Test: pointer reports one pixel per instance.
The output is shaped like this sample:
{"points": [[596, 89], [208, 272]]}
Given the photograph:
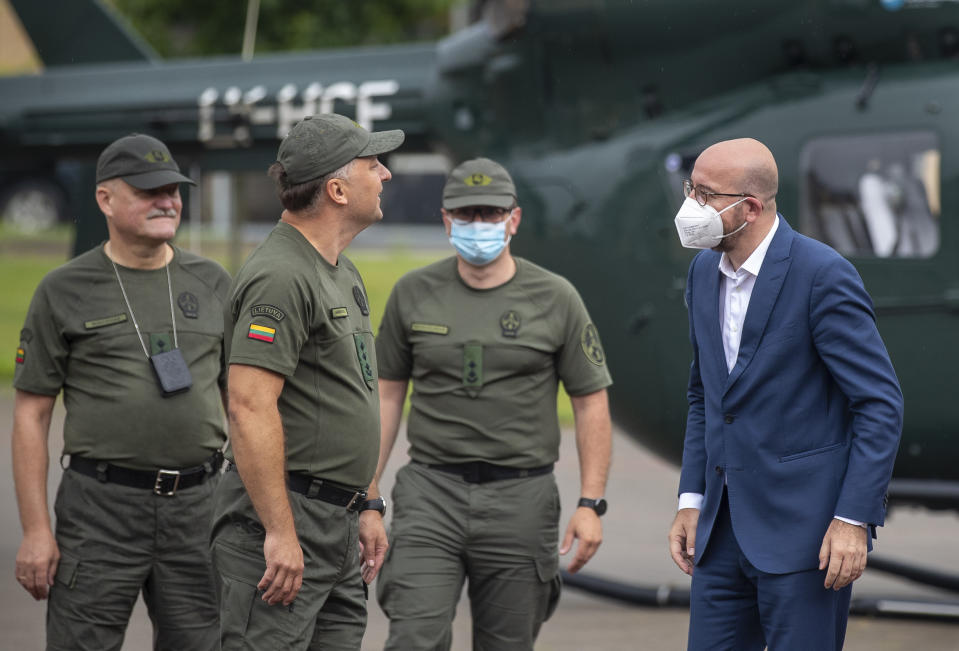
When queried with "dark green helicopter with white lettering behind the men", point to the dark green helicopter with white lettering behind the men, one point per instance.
{"points": [[599, 108]]}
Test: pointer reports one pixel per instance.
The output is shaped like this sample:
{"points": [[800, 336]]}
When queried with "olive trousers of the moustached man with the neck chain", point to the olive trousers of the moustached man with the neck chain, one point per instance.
{"points": [[116, 541]]}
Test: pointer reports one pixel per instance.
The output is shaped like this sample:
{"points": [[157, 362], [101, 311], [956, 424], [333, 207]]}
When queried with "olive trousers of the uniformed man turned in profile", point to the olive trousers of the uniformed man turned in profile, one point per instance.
{"points": [[328, 613]]}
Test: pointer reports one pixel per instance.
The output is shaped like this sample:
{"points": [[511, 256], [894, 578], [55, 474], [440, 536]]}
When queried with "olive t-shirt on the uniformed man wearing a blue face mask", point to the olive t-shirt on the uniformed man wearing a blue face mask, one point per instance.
{"points": [[486, 363]]}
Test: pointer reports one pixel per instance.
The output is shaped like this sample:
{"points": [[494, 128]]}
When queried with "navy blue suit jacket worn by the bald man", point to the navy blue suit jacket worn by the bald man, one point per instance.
{"points": [[807, 424]]}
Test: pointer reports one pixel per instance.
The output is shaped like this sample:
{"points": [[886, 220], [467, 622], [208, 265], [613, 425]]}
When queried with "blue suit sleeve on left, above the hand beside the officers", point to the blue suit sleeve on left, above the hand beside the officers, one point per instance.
{"points": [[693, 475]]}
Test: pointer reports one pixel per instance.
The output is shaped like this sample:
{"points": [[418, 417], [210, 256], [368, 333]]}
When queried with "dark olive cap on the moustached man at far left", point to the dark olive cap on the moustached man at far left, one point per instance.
{"points": [[141, 160]]}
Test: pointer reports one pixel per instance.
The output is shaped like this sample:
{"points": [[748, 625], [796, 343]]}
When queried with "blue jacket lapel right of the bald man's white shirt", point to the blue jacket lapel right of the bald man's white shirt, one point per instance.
{"points": [[769, 283]]}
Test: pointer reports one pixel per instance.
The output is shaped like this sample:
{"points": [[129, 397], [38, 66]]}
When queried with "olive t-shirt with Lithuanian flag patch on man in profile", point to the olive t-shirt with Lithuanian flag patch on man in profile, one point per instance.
{"points": [[294, 313]]}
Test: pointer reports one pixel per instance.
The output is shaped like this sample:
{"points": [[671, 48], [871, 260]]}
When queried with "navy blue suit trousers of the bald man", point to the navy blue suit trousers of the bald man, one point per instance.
{"points": [[735, 606]]}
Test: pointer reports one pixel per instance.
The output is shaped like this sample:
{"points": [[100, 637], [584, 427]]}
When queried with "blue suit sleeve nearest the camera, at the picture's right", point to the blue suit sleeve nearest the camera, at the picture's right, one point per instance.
{"points": [[846, 338]]}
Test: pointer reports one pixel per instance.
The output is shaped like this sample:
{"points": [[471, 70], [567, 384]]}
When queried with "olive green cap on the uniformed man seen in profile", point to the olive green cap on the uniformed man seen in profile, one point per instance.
{"points": [[320, 144]]}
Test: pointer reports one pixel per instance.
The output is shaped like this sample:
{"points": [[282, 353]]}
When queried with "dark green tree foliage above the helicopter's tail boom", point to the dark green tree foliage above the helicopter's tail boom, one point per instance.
{"points": [[177, 28]]}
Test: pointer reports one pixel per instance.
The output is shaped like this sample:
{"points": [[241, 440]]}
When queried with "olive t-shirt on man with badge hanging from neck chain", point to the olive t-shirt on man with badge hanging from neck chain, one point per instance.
{"points": [[79, 337]]}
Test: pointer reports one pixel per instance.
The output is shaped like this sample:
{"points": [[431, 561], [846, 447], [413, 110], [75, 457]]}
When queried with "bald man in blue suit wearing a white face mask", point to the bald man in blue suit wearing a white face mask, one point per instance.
{"points": [[795, 415]]}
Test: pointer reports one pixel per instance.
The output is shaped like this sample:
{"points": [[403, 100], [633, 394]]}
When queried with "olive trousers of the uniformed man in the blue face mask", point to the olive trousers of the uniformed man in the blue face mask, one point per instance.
{"points": [[502, 535]]}
